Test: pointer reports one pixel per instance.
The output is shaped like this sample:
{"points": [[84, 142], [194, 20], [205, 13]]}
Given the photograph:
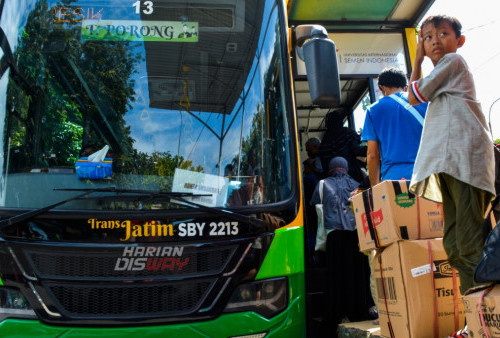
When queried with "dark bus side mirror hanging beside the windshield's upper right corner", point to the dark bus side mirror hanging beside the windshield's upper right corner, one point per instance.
{"points": [[320, 56]]}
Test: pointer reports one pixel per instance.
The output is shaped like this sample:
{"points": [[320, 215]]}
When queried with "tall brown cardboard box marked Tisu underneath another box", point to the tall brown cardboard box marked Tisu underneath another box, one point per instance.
{"points": [[412, 298]]}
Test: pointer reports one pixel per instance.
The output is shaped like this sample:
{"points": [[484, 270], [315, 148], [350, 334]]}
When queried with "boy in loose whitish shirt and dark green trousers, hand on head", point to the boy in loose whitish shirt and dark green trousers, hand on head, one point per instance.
{"points": [[455, 162]]}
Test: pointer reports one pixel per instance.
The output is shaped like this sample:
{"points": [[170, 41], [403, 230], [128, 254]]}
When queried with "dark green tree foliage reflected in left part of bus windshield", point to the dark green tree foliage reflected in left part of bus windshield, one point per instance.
{"points": [[64, 84]]}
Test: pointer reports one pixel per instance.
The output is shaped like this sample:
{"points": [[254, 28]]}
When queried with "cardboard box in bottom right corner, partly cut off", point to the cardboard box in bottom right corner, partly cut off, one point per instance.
{"points": [[490, 308]]}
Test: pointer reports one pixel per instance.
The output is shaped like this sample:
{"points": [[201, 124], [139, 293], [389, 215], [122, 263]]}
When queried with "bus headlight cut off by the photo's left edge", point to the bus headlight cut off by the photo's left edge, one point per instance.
{"points": [[14, 305]]}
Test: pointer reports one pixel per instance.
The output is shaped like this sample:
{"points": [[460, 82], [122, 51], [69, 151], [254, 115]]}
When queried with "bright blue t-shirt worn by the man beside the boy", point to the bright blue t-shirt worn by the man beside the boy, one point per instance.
{"points": [[398, 134]]}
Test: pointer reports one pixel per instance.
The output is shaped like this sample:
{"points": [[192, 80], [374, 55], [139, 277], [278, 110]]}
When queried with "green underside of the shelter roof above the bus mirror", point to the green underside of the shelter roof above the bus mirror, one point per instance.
{"points": [[358, 14]]}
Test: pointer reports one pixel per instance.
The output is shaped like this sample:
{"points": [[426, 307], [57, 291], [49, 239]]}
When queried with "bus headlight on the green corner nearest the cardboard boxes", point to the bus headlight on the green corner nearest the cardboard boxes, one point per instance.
{"points": [[266, 297]]}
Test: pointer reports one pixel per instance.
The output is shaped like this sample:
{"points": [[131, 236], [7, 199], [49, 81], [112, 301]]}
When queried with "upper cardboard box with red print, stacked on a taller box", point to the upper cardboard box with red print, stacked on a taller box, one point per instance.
{"points": [[394, 215]]}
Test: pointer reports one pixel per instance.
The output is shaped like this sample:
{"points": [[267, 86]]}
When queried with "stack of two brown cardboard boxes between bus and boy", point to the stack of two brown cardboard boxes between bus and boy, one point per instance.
{"points": [[417, 291]]}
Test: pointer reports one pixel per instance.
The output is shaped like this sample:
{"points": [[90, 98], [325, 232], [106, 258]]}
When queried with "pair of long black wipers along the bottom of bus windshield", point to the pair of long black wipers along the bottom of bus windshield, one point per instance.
{"points": [[181, 196]]}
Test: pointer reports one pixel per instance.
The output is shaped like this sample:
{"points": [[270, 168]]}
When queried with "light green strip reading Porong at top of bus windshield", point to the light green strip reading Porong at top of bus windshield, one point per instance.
{"points": [[137, 30]]}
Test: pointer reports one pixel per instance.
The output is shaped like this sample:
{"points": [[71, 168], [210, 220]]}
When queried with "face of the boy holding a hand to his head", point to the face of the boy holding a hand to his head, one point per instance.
{"points": [[440, 40]]}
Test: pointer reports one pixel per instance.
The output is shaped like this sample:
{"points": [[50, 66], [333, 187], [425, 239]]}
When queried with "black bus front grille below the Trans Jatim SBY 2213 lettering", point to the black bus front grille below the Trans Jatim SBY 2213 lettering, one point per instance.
{"points": [[103, 284]]}
